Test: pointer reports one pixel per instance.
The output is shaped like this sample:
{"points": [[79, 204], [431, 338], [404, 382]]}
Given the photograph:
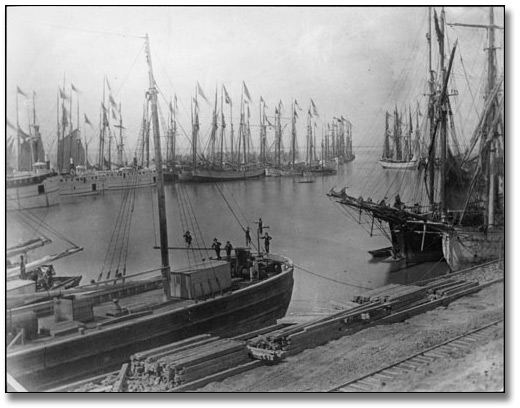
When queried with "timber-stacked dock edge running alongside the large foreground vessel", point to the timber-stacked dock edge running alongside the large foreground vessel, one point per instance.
{"points": [[197, 361]]}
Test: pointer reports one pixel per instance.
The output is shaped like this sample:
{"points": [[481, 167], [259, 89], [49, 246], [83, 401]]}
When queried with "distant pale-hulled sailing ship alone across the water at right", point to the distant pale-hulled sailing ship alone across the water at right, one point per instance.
{"points": [[400, 152]]}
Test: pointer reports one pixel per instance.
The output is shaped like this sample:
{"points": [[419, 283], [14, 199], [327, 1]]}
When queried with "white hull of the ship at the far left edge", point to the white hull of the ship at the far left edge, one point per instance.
{"points": [[32, 192]]}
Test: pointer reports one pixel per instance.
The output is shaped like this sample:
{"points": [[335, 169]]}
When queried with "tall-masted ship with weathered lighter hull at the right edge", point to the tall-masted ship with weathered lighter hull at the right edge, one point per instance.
{"points": [[476, 234]]}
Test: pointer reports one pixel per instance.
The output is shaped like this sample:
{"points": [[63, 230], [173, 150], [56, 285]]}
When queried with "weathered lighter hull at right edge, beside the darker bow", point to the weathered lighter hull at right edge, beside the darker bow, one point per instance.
{"points": [[464, 248]]}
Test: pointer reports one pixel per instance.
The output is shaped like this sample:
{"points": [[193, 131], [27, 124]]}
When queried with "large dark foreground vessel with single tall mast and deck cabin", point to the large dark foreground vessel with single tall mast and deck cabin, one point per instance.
{"points": [[96, 327]]}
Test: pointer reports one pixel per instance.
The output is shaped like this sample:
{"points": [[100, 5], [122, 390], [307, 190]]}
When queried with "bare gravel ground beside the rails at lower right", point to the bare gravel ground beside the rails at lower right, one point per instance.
{"points": [[480, 369]]}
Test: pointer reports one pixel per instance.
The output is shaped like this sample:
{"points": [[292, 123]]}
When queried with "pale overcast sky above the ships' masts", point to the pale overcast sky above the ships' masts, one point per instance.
{"points": [[355, 62]]}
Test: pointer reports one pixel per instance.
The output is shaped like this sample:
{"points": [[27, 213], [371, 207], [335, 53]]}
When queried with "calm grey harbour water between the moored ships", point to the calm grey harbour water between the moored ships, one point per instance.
{"points": [[328, 245]]}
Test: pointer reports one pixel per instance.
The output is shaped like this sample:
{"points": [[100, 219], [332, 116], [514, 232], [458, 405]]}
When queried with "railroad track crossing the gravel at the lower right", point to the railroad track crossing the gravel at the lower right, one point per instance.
{"points": [[369, 382]]}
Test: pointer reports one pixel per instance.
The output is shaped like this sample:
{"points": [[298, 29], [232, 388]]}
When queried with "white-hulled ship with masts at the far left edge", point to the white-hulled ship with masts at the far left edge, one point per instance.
{"points": [[30, 183]]}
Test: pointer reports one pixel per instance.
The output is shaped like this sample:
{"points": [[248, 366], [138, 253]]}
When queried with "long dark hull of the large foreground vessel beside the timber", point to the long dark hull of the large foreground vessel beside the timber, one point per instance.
{"points": [[229, 315]]}
